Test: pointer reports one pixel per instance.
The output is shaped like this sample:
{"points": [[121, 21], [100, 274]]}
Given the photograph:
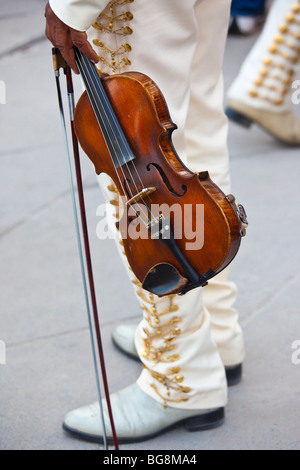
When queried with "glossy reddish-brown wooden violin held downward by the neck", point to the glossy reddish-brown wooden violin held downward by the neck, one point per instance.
{"points": [[123, 124]]}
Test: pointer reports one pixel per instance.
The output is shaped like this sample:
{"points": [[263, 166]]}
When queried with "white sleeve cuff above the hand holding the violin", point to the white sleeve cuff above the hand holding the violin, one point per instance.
{"points": [[78, 14]]}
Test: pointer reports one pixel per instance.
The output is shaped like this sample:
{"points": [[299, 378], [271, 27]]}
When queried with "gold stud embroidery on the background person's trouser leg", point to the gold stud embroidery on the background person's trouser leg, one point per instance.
{"points": [[275, 78]]}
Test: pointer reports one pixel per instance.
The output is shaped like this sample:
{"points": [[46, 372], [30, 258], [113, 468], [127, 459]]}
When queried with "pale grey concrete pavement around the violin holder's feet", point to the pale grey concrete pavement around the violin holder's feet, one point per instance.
{"points": [[43, 323]]}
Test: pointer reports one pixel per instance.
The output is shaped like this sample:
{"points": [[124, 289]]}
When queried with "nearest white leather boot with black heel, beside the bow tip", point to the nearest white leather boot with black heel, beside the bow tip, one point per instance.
{"points": [[137, 417]]}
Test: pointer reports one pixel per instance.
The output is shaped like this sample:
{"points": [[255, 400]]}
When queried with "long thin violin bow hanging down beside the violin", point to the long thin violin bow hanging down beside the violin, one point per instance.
{"points": [[59, 63]]}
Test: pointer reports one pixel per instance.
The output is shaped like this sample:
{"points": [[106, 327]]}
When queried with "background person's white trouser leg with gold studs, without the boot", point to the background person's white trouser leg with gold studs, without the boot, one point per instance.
{"points": [[264, 80]]}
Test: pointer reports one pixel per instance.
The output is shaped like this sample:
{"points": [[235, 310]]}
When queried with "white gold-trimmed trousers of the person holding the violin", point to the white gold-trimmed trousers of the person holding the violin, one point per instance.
{"points": [[180, 45]]}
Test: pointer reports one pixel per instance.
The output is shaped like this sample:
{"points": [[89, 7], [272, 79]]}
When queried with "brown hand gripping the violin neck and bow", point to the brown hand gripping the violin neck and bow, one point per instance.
{"points": [[65, 38]]}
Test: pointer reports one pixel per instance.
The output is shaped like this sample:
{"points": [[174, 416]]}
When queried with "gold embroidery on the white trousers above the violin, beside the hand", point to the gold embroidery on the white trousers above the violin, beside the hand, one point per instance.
{"points": [[110, 22]]}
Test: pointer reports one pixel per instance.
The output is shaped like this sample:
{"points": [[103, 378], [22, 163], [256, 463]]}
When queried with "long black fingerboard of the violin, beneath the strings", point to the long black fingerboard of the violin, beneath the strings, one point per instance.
{"points": [[112, 131]]}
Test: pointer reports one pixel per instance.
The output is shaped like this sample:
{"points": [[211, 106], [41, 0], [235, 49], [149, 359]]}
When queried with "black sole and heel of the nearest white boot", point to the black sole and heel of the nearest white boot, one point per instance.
{"points": [[202, 422]]}
